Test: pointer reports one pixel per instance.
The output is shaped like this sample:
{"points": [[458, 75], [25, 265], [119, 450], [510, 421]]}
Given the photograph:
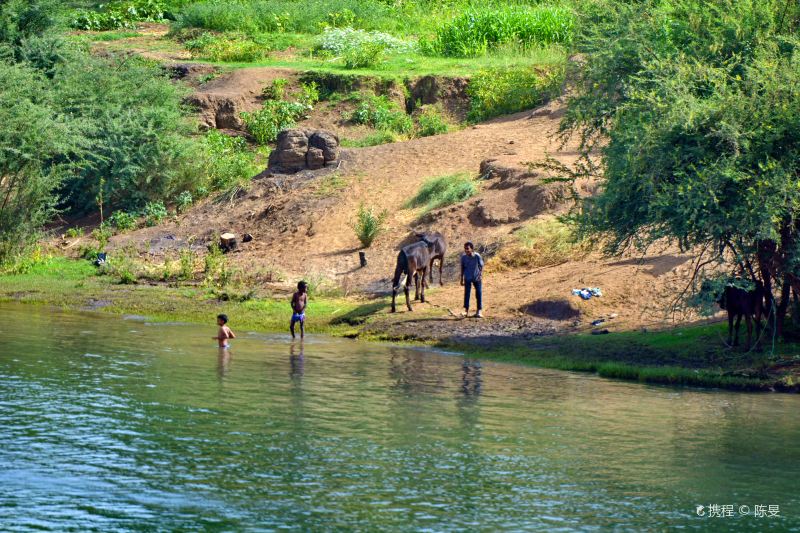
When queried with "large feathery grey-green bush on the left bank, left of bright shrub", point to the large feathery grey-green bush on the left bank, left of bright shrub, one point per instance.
{"points": [[132, 127]]}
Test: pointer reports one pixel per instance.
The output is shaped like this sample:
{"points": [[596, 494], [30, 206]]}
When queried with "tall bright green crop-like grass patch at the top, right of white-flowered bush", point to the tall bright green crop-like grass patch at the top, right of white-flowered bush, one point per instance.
{"points": [[474, 32]]}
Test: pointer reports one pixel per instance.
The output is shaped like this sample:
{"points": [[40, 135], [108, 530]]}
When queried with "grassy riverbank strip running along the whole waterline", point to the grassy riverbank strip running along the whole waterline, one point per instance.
{"points": [[686, 356]]}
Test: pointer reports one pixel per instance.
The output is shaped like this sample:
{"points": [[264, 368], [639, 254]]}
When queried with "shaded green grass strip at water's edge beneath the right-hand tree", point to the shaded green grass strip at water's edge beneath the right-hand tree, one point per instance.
{"points": [[691, 356]]}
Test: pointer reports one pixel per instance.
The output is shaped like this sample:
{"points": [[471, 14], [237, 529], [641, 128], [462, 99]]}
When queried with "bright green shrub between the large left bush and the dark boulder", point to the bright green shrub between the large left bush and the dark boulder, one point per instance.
{"points": [[226, 161]]}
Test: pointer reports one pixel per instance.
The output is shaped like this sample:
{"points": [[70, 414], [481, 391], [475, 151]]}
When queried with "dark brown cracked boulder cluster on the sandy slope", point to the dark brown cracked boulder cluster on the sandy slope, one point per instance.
{"points": [[300, 149]]}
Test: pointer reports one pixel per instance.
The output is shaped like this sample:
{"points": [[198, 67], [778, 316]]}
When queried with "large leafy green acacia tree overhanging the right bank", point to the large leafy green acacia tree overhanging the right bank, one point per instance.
{"points": [[694, 108]]}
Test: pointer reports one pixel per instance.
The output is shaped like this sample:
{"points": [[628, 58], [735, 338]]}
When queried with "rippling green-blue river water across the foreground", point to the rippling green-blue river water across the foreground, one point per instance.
{"points": [[120, 424]]}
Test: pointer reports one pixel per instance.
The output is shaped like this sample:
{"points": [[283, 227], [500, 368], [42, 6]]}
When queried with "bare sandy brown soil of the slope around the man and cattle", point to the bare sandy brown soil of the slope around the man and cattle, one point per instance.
{"points": [[302, 226]]}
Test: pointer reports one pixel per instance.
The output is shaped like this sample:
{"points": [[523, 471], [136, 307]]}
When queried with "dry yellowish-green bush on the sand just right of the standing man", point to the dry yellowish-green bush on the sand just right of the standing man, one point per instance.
{"points": [[541, 243]]}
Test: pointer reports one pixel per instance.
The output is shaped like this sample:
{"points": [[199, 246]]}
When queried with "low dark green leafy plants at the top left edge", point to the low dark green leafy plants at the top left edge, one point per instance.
{"points": [[119, 14]]}
